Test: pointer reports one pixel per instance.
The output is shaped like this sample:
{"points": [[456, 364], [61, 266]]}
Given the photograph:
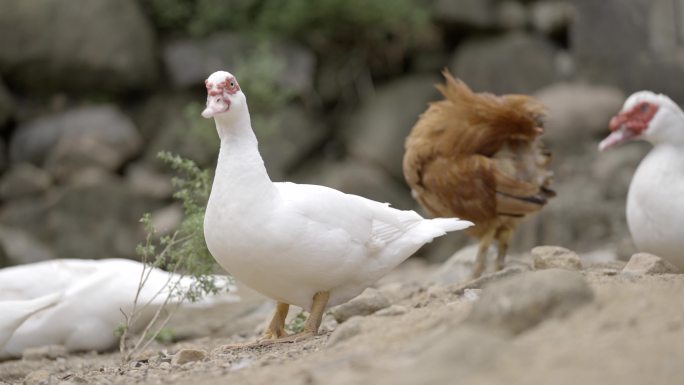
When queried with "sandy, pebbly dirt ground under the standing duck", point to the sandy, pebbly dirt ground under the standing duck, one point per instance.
{"points": [[630, 332]]}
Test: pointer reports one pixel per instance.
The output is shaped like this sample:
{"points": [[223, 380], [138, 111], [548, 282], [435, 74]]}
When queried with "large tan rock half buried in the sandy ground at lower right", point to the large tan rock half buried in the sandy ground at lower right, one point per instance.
{"points": [[523, 301]]}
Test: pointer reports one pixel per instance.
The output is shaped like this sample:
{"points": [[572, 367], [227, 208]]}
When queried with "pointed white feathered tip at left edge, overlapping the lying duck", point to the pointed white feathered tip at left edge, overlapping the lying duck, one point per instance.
{"points": [[14, 313]]}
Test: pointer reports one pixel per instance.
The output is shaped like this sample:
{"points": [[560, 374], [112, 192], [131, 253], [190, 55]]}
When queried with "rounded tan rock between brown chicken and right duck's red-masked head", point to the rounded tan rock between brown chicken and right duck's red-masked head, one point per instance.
{"points": [[578, 112]]}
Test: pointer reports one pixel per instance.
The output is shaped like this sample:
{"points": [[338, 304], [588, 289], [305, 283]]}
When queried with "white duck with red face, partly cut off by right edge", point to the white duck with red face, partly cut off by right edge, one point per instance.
{"points": [[655, 203]]}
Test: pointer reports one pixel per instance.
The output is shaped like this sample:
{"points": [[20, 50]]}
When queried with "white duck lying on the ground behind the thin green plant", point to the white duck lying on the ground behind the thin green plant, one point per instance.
{"points": [[90, 296]]}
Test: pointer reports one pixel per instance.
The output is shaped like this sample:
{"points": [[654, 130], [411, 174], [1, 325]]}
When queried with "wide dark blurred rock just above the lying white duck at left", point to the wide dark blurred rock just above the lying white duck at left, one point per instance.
{"points": [[90, 220]]}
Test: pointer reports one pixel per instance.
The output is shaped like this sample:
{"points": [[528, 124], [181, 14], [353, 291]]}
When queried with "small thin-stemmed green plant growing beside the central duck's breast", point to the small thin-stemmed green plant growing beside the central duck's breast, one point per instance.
{"points": [[183, 253]]}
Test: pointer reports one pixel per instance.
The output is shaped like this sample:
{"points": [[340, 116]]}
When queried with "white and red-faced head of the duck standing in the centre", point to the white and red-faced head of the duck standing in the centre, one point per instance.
{"points": [[225, 99]]}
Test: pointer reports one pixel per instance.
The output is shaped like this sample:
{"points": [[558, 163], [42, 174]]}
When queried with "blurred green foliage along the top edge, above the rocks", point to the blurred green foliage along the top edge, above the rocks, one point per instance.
{"points": [[320, 24]]}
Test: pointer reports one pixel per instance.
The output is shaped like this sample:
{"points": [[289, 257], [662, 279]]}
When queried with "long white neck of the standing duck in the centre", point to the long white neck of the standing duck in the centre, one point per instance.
{"points": [[240, 172]]}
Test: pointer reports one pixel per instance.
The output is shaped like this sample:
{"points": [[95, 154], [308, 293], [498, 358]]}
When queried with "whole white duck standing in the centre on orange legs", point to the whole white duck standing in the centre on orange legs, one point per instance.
{"points": [[304, 245]]}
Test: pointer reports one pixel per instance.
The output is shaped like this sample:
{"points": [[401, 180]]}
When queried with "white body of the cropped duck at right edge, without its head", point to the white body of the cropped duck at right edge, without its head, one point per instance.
{"points": [[655, 204]]}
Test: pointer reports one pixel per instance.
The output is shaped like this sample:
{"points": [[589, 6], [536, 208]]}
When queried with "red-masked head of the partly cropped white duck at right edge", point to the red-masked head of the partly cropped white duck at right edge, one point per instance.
{"points": [[646, 116]]}
